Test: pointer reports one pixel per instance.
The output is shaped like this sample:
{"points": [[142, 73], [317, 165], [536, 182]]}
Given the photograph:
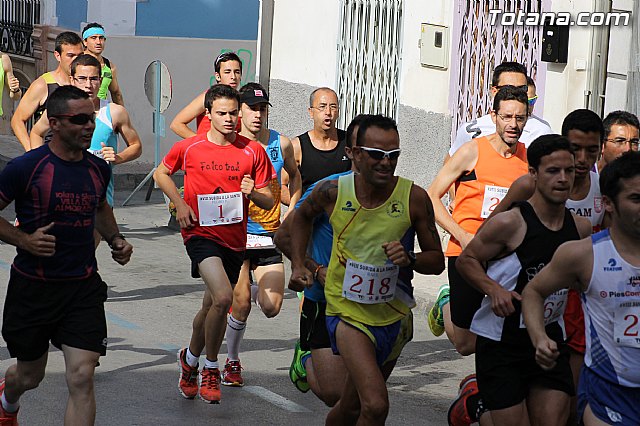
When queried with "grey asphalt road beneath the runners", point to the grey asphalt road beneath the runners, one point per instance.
{"points": [[151, 304]]}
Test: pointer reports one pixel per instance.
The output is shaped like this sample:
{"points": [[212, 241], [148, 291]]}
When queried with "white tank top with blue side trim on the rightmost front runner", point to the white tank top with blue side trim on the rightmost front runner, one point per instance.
{"points": [[611, 307]]}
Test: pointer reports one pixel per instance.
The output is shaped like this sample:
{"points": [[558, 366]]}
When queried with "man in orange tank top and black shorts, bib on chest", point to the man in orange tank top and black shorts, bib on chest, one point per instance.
{"points": [[482, 171]]}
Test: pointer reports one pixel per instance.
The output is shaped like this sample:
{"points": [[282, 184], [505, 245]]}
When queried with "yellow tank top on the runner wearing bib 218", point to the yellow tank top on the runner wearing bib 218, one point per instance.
{"points": [[358, 235]]}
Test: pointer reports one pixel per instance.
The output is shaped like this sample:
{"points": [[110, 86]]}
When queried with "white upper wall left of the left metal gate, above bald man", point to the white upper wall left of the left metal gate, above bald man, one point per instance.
{"points": [[305, 36]]}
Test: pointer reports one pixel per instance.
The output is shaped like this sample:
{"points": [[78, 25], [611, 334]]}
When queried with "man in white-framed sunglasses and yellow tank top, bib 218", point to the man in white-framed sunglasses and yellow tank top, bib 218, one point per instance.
{"points": [[369, 212]]}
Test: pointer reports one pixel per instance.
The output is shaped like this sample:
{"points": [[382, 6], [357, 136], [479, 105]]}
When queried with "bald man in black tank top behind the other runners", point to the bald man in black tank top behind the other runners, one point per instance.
{"points": [[320, 151]]}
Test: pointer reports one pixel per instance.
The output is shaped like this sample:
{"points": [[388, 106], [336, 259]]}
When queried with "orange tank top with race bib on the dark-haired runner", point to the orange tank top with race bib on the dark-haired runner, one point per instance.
{"points": [[479, 191]]}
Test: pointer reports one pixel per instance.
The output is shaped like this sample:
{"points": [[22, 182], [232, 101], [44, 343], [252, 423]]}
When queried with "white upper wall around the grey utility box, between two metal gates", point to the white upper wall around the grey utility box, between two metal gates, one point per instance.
{"points": [[422, 87]]}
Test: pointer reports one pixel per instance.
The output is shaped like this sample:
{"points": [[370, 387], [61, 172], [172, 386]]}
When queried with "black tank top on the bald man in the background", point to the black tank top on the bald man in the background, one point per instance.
{"points": [[318, 164]]}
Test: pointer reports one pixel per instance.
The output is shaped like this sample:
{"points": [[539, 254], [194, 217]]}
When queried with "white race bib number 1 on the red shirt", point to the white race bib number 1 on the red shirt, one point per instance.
{"points": [[220, 209]]}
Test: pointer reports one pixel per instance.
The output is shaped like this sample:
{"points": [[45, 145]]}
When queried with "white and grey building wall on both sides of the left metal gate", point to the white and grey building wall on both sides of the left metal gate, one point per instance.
{"points": [[304, 57]]}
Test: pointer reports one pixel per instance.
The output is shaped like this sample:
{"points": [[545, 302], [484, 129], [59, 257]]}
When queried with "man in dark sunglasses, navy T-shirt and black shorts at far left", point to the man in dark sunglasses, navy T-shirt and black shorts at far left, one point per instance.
{"points": [[55, 293]]}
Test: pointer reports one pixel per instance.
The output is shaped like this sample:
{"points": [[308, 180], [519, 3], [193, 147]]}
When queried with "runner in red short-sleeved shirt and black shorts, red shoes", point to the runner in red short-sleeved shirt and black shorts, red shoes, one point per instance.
{"points": [[223, 171]]}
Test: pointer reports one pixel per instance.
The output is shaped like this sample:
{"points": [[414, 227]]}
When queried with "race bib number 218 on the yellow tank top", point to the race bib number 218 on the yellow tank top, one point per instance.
{"points": [[369, 284]]}
